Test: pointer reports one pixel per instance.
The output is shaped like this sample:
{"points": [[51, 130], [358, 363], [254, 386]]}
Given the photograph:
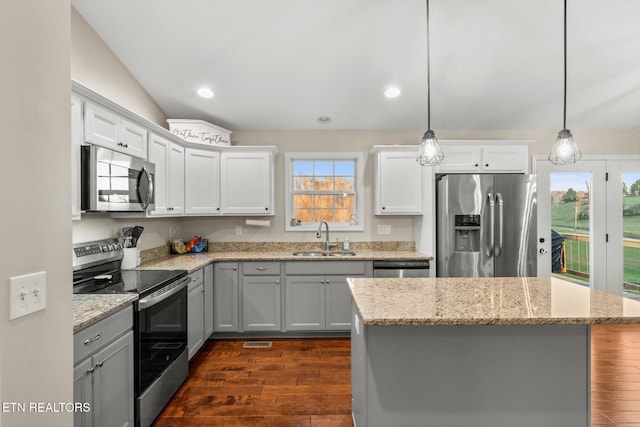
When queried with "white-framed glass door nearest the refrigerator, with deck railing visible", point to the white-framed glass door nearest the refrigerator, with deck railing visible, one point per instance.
{"points": [[572, 221]]}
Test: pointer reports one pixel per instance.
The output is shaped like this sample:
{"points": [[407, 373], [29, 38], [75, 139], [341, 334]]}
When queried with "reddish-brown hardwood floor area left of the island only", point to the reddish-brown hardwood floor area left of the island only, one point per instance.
{"points": [[296, 382]]}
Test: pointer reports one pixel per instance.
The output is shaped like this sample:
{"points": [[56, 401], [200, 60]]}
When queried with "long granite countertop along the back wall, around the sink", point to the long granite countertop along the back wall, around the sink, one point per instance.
{"points": [[192, 262]]}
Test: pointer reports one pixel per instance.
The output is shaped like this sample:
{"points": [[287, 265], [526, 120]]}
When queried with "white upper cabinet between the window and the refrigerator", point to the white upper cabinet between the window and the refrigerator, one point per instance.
{"points": [[398, 181]]}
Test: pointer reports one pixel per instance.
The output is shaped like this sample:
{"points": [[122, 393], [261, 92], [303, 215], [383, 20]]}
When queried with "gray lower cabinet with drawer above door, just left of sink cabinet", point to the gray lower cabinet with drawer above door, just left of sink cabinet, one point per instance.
{"points": [[261, 296]]}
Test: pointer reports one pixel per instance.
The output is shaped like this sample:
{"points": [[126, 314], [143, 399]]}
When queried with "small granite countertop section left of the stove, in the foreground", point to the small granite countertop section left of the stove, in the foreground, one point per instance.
{"points": [[89, 308]]}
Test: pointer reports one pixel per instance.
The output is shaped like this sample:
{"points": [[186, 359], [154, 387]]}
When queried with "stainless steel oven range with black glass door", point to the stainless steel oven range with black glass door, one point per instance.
{"points": [[160, 323]]}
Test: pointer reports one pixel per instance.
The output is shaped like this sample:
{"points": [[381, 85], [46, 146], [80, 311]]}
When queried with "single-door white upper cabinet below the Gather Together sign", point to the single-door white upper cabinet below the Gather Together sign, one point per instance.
{"points": [[202, 182]]}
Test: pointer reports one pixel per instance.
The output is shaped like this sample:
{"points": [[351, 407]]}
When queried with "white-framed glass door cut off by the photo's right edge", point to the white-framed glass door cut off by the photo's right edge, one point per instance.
{"points": [[623, 205]]}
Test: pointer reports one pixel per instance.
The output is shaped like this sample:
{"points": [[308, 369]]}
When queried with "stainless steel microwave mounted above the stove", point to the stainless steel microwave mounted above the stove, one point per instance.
{"points": [[115, 182]]}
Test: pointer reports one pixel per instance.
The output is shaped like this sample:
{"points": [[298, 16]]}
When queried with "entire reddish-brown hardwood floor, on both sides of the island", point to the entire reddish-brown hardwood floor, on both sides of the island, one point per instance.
{"points": [[306, 383]]}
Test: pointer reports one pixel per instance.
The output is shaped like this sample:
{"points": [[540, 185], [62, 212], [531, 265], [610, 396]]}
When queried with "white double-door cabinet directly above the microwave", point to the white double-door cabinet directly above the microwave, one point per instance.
{"points": [[108, 129]]}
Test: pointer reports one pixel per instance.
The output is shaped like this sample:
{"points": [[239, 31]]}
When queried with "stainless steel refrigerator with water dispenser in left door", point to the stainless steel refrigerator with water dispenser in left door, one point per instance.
{"points": [[486, 226]]}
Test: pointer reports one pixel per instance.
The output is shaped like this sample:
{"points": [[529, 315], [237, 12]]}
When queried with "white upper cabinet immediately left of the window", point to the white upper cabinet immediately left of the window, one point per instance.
{"points": [[246, 183]]}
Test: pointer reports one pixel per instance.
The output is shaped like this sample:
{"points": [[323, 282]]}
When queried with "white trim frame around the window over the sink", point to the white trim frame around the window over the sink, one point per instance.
{"points": [[313, 226]]}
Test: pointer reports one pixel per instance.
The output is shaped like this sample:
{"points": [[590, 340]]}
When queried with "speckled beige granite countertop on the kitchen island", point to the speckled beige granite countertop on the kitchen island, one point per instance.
{"points": [[487, 301]]}
